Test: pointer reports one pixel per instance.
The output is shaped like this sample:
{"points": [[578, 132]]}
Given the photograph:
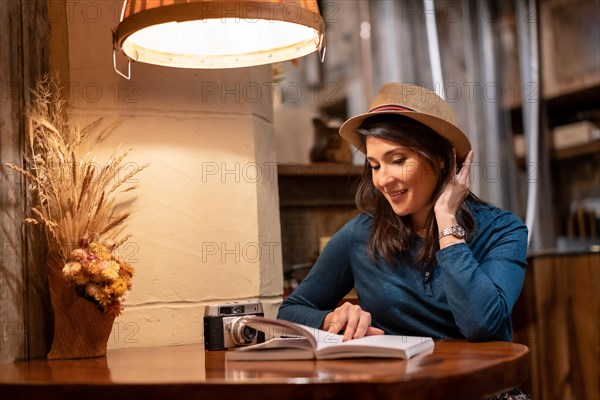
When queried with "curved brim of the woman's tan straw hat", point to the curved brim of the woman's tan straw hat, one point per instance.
{"points": [[349, 130]]}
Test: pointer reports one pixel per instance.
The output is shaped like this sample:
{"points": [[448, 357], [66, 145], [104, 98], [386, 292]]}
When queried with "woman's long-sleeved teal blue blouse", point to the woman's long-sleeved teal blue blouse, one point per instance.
{"points": [[470, 293]]}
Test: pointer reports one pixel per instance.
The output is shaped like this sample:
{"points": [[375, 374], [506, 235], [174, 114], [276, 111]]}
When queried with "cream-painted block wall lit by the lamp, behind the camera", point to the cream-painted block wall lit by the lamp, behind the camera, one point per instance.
{"points": [[206, 223]]}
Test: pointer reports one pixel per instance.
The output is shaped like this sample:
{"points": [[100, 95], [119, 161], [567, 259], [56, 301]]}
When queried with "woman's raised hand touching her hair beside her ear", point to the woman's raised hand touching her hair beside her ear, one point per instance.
{"points": [[455, 191]]}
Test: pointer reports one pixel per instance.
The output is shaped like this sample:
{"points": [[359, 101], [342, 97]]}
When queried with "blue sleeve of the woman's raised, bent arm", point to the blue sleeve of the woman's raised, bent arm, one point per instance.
{"points": [[481, 293]]}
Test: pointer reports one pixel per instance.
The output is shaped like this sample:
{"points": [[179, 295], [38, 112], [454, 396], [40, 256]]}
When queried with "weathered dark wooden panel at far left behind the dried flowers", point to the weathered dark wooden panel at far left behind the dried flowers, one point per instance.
{"points": [[24, 30]]}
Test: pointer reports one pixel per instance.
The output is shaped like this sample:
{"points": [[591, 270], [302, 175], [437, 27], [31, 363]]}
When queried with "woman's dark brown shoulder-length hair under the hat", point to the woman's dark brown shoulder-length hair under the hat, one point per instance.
{"points": [[392, 235]]}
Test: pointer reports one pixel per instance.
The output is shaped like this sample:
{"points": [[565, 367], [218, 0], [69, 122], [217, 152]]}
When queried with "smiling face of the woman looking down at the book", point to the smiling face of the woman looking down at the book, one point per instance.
{"points": [[406, 179]]}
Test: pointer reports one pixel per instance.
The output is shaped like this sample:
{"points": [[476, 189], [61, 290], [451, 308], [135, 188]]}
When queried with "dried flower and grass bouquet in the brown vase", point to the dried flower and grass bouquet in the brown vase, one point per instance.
{"points": [[75, 198]]}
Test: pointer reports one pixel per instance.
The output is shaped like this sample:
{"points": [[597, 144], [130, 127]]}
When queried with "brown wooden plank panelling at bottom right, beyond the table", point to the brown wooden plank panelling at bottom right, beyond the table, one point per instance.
{"points": [[563, 292]]}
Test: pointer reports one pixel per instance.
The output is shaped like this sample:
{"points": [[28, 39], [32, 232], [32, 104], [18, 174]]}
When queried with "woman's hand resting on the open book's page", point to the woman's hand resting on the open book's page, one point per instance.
{"points": [[350, 318]]}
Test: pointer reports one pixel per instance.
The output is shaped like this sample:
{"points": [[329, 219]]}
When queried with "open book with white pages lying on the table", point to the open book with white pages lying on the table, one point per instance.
{"points": [[290, 341]]}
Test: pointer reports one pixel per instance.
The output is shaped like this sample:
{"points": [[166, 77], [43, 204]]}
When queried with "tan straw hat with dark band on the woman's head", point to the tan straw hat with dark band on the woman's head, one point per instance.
{"points": [[413, 102]]}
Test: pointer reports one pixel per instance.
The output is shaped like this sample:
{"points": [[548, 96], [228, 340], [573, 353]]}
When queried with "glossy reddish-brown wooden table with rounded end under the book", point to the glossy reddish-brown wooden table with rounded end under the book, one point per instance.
{"points": [[456, 369]]}
